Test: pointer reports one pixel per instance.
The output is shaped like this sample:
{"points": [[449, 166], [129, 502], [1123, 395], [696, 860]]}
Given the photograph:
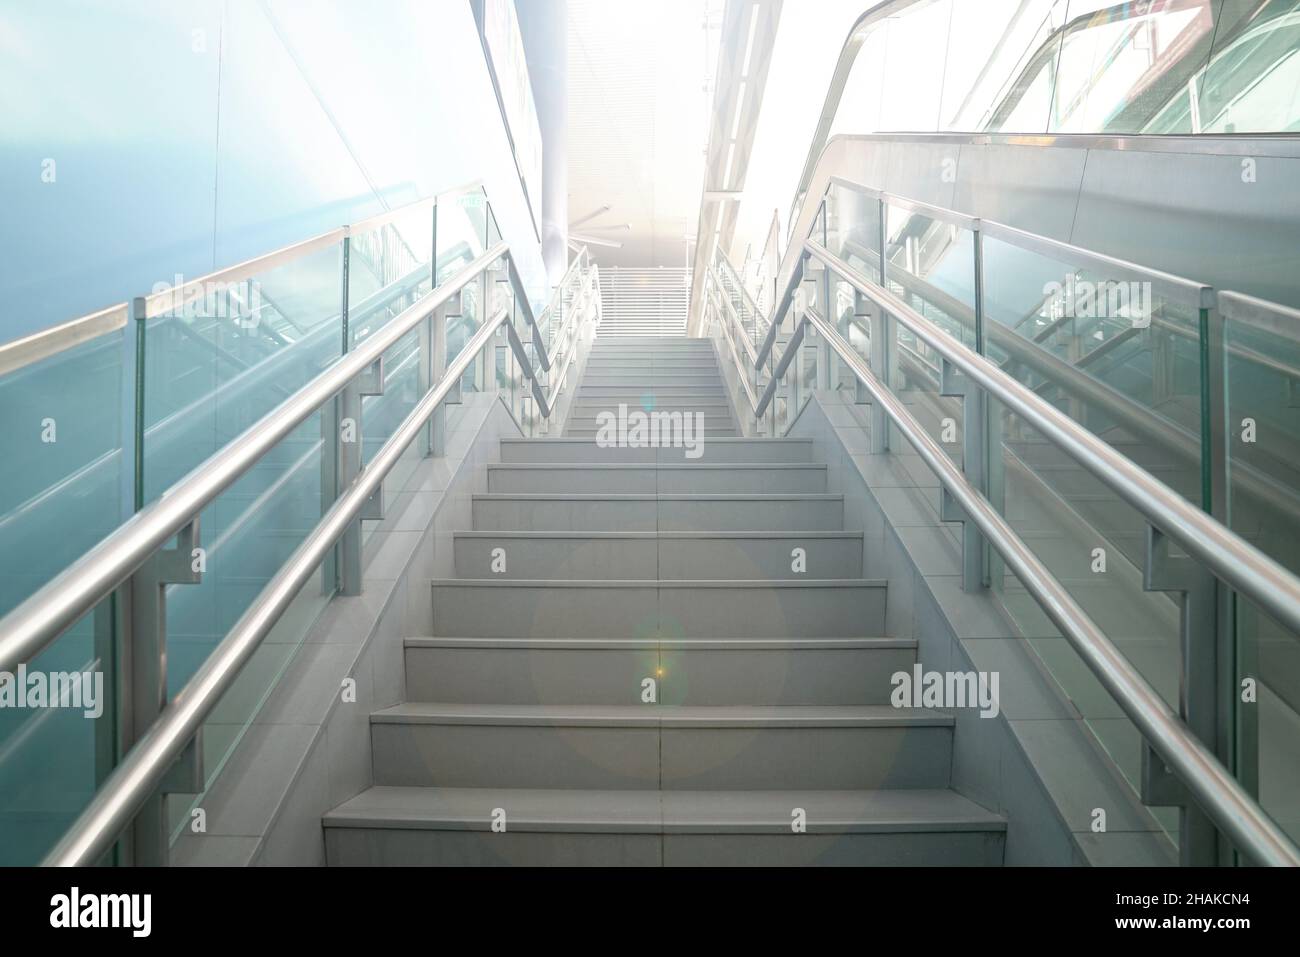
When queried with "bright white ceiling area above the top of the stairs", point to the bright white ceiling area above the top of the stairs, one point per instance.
{"points": [[639, 102]]}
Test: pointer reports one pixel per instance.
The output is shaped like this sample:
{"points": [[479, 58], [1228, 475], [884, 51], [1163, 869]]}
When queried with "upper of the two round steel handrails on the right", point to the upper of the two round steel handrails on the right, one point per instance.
{"points": [[1230, 558]]}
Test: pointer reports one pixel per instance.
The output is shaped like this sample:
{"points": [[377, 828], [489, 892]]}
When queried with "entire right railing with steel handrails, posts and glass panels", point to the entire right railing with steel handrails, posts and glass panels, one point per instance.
{"points": [[1188, 553]]}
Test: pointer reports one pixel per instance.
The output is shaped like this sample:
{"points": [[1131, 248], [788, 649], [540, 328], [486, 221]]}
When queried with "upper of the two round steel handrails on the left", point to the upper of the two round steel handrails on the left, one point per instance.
{"points": [[57, 607]]}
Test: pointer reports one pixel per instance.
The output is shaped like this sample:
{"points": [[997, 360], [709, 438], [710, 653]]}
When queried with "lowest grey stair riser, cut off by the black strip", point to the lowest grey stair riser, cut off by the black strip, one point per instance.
{"points": [[353, 847]]}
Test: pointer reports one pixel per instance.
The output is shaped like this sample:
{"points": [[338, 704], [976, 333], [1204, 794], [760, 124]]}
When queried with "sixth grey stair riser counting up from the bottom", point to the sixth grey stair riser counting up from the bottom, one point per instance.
{"points": [[666, 516]]}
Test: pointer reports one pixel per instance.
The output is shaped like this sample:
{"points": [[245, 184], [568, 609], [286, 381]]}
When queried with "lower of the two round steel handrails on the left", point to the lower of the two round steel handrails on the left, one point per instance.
{"points": [[145, 767]]}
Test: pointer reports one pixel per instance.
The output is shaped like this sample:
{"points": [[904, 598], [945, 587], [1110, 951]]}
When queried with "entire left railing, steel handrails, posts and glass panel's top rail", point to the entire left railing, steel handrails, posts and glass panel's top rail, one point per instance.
{"points": [[128, 574]]}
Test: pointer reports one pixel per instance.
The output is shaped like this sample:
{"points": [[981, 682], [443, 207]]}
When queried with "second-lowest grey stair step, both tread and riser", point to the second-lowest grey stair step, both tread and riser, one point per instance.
{"points": [[636, 747]]}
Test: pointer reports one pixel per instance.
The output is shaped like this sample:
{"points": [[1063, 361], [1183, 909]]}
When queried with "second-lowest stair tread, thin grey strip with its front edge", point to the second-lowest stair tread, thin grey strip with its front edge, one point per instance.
{"points": [[664, 716]]}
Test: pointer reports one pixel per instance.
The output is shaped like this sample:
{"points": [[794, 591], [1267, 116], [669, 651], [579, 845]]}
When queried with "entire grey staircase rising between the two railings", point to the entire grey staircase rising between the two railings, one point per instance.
{"points": [[647, 681]]}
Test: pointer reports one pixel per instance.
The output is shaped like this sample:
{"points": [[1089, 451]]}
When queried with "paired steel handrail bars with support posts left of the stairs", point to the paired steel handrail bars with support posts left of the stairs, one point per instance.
{"points": [[162, 737]]}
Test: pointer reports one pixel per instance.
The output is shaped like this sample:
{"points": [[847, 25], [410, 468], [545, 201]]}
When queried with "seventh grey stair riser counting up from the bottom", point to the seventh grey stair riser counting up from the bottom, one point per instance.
{"points": [[579, 480]]}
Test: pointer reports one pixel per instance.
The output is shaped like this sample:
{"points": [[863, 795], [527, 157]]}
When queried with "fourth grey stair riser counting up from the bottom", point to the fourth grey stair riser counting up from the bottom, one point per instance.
{"points": [[723, 612]]}
